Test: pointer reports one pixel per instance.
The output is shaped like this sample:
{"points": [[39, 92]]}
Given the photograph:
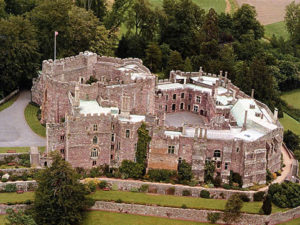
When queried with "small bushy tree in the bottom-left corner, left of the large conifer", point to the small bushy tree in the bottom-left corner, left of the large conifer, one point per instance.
{"points": [[18, 218]]}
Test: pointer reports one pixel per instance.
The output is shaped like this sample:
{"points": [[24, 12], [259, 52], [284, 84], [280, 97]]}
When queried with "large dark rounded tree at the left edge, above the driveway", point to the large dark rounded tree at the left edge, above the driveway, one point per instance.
{"points": [[19, 57]]}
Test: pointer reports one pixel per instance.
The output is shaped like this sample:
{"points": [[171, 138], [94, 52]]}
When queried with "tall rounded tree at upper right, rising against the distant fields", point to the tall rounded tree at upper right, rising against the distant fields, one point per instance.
{"points": [[244, 21]]}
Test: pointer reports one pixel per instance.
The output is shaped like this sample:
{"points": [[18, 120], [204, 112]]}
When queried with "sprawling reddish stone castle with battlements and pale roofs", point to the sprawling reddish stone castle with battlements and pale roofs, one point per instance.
{"points": [[194, 116]]}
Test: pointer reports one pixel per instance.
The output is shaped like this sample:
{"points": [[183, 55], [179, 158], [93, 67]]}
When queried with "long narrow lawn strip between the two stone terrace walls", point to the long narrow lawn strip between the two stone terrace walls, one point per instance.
{"points": [[174, 201]]}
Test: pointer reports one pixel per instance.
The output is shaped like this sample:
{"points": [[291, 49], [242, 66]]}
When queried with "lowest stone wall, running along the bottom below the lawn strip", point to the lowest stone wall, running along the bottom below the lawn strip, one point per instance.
{"points": [[194, 214]]}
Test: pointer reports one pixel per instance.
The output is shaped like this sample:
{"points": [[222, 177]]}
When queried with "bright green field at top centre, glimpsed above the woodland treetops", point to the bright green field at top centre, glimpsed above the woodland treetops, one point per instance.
{"points": [[218, 5]]}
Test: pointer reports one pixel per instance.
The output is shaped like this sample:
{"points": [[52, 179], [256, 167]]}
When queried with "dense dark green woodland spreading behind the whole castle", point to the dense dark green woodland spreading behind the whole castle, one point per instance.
{"points": [[179, 35]]}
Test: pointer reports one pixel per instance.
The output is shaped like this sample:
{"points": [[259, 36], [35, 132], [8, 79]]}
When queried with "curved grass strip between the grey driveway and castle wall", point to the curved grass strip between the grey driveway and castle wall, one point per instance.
{"points": [[32, 120]]}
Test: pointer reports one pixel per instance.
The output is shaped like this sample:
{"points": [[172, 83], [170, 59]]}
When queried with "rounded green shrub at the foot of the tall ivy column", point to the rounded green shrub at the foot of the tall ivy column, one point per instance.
{"points": [[131, 169]]}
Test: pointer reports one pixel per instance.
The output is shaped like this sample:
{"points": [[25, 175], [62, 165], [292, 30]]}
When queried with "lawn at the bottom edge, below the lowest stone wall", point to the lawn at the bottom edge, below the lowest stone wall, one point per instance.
{"points": [[111, 218]]}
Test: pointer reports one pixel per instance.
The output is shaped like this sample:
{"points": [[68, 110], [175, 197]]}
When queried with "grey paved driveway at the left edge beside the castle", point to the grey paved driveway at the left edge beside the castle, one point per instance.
{"points": [[14, 131]]}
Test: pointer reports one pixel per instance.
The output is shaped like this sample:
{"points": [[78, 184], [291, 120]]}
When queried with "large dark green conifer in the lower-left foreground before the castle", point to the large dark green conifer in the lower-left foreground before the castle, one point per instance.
{"points": [[60, 198]]}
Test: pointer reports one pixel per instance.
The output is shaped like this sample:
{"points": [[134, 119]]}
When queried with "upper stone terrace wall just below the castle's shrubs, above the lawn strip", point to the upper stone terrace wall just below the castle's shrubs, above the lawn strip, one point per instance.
{"points": [[127, 185]]}
